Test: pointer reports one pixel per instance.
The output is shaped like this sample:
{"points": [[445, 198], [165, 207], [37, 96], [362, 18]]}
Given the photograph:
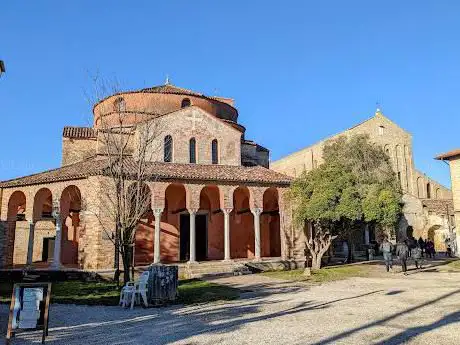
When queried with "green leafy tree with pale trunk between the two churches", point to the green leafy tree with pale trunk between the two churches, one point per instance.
{"points": [[355, 185]]}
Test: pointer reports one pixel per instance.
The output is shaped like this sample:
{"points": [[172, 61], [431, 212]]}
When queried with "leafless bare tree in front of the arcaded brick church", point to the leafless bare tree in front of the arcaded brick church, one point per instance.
{"points": [[128, 148]]}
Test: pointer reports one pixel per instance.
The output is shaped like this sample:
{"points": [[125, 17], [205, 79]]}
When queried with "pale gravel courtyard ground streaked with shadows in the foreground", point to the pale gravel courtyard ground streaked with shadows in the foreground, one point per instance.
{"points": [[422, 308]]}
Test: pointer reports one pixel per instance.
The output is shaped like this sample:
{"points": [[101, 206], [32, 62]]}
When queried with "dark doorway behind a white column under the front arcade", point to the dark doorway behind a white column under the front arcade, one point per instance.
{"points": [[201, 233]]}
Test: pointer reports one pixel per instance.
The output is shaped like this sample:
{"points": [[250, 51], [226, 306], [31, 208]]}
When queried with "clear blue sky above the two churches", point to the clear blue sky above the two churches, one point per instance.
{"points": [[298, 70]]}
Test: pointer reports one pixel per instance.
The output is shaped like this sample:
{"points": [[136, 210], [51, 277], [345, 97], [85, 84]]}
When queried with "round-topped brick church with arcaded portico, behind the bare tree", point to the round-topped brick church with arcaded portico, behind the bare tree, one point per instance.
{"points": [[213, 197]]}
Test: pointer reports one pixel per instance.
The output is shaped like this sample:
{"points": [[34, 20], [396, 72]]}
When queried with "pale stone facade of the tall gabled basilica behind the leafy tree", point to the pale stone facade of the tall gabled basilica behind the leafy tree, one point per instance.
{"points": [[397, 143]]}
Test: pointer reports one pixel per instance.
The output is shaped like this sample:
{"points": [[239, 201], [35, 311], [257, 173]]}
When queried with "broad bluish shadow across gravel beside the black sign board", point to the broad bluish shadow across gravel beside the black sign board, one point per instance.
{"points": [[113, 325]]}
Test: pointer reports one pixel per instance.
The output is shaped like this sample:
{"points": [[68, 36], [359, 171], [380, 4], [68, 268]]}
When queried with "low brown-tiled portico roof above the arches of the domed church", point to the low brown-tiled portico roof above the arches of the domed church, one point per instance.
{"points": [[157, 171]]}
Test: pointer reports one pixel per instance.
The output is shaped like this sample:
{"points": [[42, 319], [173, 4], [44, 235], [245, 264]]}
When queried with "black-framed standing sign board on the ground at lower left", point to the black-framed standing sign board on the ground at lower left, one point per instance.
{"points": [[29, 309]]}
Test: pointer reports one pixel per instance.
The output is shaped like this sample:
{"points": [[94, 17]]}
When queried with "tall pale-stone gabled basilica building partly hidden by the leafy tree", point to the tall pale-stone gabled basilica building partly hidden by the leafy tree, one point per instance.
{"points": [[428, 207]]}
